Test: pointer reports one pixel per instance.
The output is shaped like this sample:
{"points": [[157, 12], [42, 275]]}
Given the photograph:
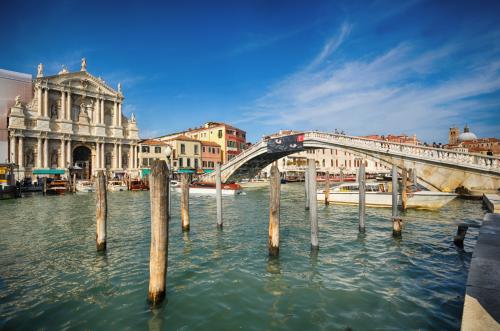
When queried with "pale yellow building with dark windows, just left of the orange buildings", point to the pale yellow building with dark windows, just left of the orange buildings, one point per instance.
{"points": [[186, 154]]}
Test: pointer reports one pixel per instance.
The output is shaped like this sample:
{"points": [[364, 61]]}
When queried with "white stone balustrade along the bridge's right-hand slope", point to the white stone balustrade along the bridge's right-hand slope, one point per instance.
{"points": [[485, 162]]}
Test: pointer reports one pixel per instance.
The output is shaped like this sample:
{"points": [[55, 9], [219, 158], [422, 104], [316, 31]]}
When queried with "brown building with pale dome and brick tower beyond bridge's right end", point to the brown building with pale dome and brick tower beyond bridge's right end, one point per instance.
{"points": [[468, 142]]}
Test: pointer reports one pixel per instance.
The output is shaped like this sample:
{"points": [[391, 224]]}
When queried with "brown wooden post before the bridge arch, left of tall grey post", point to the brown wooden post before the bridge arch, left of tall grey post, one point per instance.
{"points": [[274, 212]]}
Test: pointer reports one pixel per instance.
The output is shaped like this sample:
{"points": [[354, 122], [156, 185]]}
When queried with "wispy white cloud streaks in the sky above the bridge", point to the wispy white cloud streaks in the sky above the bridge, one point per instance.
{"points": [[404, 89]]}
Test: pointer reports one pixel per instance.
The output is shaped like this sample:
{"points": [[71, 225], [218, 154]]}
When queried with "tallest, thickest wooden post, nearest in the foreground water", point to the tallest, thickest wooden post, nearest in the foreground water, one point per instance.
{"points": [[158, 254]]}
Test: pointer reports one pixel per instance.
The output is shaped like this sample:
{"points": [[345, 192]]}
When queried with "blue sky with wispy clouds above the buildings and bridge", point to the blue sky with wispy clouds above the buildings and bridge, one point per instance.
{"points": [[364, 67]]}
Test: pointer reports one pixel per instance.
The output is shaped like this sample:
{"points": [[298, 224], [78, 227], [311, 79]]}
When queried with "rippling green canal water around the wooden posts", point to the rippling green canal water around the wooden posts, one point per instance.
{"points": [[52, 278]]}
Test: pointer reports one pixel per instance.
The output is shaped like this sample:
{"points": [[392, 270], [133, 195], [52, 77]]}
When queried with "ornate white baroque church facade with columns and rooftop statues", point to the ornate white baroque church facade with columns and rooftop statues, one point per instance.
{"points": [[73, 122]]}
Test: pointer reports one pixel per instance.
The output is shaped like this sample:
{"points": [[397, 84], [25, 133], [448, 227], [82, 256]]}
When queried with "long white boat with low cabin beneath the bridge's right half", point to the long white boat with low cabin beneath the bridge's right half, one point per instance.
{"points": [[377, 195]]}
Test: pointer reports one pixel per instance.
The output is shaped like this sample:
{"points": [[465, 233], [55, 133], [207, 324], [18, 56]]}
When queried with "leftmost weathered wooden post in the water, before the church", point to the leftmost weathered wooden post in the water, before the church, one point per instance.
{"points": [[101, 213]]}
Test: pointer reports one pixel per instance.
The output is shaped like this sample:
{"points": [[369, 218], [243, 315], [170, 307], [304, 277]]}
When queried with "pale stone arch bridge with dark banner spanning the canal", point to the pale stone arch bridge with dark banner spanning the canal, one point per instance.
{"points": [[436, 169]]}
